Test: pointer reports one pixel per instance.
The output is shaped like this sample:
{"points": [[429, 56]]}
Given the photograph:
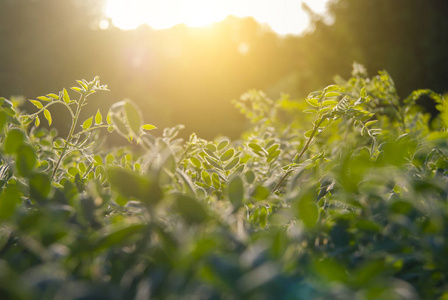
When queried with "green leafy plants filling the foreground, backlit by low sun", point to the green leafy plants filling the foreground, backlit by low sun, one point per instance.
{"points": [[343, 196]]}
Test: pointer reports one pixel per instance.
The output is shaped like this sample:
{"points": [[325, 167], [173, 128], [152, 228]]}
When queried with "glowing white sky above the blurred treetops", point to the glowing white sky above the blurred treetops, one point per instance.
{"points": [[283, 16]]}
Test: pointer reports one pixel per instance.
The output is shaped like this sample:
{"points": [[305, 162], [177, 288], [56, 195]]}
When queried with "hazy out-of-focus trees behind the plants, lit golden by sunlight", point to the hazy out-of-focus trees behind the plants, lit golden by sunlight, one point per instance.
{"points": [[189, 76]]}
